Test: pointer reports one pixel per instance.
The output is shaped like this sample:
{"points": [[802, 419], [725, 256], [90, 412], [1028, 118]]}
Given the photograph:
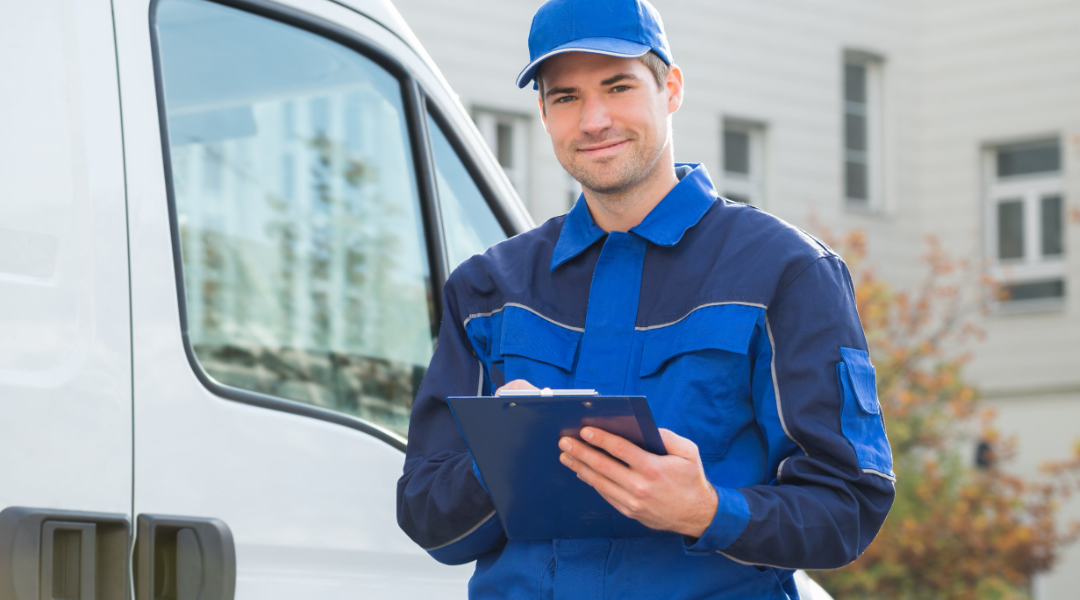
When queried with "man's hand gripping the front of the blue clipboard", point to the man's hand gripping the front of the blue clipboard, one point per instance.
{"points": [[669, 494]]}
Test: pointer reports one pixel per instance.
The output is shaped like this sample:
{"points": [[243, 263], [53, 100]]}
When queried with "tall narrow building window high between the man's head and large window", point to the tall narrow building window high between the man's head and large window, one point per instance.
{"points": [[862, 131]]}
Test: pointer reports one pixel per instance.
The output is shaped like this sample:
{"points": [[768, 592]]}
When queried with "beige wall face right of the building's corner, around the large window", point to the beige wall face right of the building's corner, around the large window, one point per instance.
{"points": [[1001, 72]]}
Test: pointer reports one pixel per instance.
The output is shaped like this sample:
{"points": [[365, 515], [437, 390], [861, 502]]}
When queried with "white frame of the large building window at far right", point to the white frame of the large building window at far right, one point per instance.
{"points": [[1030, 189]]}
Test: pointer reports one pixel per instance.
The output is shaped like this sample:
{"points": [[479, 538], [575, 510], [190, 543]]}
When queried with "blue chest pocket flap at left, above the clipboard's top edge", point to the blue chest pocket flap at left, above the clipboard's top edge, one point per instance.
{"points": [[529, 335]]}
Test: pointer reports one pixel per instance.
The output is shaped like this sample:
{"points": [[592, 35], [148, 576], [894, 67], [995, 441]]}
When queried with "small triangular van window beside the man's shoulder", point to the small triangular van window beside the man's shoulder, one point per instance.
{"points": [[469, 224]]}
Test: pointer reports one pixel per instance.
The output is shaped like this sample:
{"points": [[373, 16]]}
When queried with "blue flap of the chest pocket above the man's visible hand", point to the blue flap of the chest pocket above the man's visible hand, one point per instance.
{"points": [[726, 328]]}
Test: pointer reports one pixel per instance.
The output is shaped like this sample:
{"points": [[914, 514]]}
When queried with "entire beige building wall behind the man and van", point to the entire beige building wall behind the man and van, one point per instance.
{"points": [[957, 77]]}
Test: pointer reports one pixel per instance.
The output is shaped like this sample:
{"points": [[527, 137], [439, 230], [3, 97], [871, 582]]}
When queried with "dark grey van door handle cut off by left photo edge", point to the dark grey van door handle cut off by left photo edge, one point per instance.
{"points": [[49, 554]]}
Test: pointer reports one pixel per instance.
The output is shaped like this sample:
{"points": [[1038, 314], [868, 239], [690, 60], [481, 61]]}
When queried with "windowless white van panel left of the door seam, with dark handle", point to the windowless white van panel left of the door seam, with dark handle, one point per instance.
{"points": [[65, 353]]}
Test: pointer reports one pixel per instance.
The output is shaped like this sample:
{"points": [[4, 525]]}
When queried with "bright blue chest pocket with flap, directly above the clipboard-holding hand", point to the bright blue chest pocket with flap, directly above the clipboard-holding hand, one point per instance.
{"points": [[697, 376]]}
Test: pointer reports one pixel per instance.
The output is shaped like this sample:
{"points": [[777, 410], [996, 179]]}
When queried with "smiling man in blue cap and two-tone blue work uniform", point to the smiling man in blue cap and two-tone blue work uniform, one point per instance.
{"points": [[739, 329]]}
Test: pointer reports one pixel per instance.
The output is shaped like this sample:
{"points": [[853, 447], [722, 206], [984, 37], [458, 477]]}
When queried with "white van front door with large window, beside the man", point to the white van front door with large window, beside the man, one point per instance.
{"points": [[287, 266]]}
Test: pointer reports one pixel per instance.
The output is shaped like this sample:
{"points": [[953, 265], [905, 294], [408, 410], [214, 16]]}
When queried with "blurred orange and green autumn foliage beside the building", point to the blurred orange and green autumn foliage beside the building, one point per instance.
{"points": [[955, 531]]}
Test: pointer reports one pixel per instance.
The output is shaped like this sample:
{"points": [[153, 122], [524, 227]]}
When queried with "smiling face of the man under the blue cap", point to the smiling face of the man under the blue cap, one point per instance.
{"points": [[610, 122]]}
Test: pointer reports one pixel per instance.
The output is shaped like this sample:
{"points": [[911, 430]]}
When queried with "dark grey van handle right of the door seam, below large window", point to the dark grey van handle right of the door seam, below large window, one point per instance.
{"points": [[184, 558]]}
